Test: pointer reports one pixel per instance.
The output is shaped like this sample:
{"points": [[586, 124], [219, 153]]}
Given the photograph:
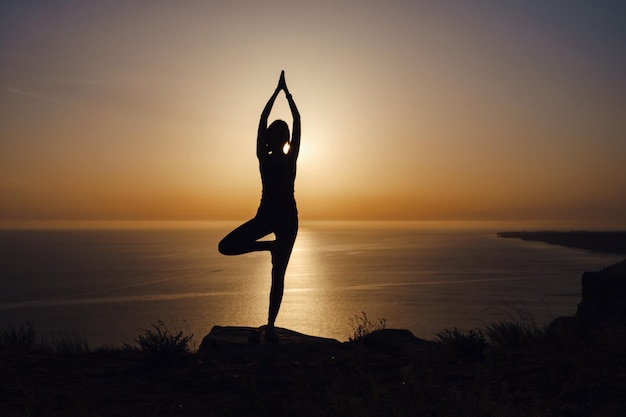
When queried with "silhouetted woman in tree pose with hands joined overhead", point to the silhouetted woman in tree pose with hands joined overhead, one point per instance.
{"points": [[277, 212]]}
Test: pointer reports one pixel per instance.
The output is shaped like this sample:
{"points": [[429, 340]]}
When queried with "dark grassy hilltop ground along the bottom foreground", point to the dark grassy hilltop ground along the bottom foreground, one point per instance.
{"points": [[387, 373]]}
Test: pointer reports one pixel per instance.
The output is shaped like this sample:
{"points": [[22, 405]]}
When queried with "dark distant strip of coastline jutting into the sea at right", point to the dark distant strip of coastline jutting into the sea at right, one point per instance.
{"points": [[609, 242]]}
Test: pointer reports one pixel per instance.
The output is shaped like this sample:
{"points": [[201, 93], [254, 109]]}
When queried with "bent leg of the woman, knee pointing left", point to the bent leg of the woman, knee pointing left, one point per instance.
{"points": [[245, 238]]}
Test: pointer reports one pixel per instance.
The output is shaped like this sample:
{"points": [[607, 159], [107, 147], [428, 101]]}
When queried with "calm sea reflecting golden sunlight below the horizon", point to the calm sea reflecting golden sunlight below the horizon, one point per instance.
{"points": [[107, 285]]}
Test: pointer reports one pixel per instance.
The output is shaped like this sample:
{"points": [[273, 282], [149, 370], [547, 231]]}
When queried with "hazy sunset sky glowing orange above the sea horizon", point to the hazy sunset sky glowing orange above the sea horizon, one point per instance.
{"points": [[411, 110]]}
